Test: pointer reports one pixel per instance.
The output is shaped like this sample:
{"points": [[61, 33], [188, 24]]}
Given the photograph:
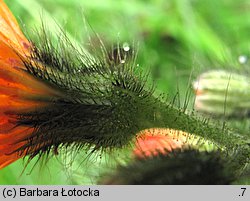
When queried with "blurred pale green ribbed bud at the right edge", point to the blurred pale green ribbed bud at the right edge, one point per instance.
{"points": [[220, 92]]}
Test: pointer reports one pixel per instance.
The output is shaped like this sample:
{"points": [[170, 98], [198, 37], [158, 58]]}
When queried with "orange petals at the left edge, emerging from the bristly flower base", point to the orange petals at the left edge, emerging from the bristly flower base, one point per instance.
{"points": [[19, 91]]}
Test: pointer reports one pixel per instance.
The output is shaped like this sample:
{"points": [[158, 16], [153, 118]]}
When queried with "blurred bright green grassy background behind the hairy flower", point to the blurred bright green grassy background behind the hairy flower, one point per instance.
{"points": [[178, 40]]}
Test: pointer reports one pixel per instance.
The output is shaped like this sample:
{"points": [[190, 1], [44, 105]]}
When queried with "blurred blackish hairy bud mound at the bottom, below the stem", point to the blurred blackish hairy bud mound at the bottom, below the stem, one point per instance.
{"points": [[183, 167]]}
